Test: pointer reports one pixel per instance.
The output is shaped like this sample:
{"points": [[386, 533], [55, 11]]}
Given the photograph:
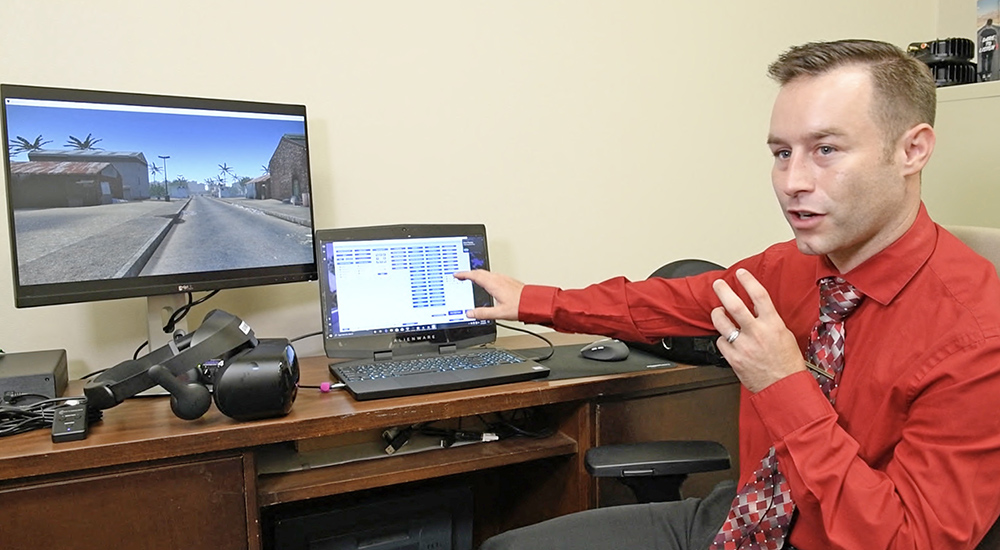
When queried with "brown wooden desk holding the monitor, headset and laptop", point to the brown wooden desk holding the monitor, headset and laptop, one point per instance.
{"points": [[146, 479]]}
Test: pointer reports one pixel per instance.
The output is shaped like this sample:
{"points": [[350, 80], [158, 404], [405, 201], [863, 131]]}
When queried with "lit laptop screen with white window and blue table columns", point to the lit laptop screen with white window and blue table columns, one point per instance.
{"points": [[399, 285]]}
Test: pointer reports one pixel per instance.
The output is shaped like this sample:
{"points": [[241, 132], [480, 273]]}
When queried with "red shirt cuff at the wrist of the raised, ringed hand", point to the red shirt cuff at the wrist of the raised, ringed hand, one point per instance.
{"points": [[789, 404]]}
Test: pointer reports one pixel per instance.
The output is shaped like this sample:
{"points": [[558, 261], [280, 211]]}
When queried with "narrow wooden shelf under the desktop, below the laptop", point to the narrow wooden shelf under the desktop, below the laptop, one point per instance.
{"points": [[367, 474]]}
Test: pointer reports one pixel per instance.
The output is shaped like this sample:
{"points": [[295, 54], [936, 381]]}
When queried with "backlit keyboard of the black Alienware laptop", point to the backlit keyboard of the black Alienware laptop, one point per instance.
{"points": [[423, 365]]}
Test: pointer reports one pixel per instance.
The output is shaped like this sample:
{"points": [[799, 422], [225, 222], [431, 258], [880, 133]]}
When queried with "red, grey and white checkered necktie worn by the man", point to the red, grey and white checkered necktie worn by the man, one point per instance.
{"points": [[762, 511]]}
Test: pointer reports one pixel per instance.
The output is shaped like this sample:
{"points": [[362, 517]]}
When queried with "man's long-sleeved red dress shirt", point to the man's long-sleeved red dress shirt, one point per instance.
{"points": [[909, 457]]}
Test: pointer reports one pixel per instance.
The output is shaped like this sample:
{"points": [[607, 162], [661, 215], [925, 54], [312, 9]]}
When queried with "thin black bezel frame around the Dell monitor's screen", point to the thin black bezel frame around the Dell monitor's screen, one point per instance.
{"points": [[156, 285]]}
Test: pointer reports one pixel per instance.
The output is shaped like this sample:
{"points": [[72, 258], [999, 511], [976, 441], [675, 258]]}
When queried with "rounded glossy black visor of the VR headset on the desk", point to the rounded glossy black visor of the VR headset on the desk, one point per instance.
{"points": [[260, 383]]}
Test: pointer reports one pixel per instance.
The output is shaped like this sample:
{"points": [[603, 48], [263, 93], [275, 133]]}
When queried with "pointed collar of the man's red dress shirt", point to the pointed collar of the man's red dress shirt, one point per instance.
{"points": [[882, 276]]}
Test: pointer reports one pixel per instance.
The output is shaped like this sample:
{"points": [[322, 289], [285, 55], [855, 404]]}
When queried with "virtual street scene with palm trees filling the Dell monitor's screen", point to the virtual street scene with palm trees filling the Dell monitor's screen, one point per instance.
{"points": [[108, 193]]}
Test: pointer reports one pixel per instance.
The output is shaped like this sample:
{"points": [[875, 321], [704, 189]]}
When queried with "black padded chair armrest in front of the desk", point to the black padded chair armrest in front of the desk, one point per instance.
{"points": [[656, 458]]}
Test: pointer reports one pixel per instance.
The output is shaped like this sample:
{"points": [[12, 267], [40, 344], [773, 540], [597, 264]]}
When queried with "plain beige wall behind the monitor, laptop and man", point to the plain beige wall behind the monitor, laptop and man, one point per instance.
{"points": [[593, 138]]}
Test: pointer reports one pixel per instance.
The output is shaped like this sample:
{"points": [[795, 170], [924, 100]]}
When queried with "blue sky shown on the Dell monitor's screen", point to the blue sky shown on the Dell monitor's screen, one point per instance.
{"points": [[196, 144]]}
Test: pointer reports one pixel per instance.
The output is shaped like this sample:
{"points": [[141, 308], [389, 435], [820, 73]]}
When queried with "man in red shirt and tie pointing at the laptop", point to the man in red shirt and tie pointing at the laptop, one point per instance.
{"points": [[898, 444]]}
